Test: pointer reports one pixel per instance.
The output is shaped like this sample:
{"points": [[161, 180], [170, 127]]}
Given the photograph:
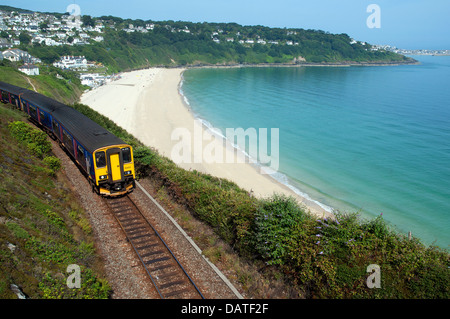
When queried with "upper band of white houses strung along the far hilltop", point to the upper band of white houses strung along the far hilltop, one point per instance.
{"points": [[50, 30]]}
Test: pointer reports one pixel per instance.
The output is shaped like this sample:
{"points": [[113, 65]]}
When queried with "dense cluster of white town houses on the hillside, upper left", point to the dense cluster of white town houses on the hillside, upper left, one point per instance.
{"points": [[47, 29]]}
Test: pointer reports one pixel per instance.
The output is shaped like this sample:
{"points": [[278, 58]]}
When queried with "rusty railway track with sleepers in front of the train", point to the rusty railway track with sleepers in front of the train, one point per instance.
{"points": [[167, 274]]}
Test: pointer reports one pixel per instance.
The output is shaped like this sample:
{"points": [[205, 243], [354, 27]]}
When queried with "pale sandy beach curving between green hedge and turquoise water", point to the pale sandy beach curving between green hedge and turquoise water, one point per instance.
{"points": [[147, 104]]}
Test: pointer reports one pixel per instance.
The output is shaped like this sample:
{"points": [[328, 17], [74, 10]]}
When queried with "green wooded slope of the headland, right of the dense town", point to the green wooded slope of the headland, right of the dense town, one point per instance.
{"points": [[167, 44]]}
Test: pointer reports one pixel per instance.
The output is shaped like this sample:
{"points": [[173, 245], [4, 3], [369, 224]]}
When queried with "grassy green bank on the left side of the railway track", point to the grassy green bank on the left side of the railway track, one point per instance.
{"points": [[43, 229]]}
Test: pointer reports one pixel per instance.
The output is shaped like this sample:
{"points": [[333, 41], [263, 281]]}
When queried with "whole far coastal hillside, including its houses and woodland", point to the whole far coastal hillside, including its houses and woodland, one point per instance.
{"points": [[124, 44]]}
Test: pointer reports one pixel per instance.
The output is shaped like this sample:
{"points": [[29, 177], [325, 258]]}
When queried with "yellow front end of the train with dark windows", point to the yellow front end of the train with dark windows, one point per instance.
{"points": [[114, 170]]}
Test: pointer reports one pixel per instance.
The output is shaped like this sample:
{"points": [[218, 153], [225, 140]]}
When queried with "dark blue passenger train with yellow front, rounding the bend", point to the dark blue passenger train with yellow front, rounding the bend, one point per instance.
{"points": [[105, 159]]}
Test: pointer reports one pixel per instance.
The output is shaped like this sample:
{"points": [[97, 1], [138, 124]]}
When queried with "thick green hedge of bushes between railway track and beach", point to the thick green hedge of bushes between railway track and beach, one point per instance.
{"points": [[322, 258]]}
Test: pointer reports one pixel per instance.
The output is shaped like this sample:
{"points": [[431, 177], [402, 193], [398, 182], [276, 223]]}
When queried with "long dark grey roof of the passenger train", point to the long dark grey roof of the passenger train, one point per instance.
{"points": [[88, 133]]}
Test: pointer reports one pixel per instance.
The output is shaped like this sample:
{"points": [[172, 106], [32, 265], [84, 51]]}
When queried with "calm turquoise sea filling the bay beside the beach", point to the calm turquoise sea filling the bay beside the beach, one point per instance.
{"points": [[358, 139]]}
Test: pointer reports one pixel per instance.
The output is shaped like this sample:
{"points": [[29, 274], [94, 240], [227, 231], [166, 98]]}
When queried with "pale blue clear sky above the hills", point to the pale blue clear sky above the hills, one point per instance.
{"points": [[408, 24]]}
